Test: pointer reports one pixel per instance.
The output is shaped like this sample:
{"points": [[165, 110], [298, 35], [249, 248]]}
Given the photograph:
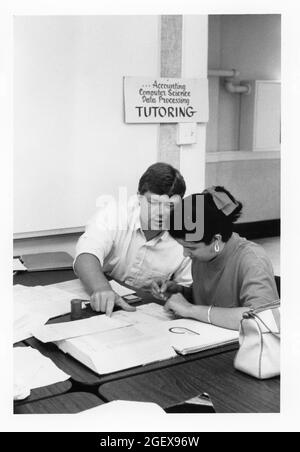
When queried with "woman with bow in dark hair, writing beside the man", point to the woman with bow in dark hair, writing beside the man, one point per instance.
{"points": [[228, 271]]}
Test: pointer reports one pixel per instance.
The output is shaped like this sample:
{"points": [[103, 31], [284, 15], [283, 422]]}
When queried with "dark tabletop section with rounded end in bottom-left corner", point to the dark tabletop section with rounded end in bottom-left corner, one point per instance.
{"points": [[68, 403]]}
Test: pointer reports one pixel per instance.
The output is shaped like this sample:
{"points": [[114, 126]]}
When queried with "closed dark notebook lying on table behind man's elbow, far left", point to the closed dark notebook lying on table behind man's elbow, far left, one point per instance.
{"points": [[46, 261]]}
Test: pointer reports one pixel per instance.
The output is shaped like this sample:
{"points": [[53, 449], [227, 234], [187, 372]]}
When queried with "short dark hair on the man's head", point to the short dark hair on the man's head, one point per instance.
{"points": [[162, 179]]}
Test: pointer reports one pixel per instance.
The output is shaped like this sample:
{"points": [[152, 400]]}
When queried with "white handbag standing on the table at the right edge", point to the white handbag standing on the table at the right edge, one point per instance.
{"points": [[259, 339]]}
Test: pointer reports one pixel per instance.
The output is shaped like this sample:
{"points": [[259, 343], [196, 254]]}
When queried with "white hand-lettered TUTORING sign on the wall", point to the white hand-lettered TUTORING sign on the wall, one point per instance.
{"points": [[158, 100]]}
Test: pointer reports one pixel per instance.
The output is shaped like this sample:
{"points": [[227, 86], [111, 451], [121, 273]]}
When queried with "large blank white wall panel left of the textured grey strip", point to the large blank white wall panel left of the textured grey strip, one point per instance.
{"points": [[70, 141]]}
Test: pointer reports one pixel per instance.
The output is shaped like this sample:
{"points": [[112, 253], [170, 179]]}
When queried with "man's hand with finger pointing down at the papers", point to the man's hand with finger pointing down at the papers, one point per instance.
{"points": [[105, 300]]}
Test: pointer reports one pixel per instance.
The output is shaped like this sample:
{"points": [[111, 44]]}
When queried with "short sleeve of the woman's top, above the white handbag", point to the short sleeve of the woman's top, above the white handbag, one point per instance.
{"points": [[257, 281]]}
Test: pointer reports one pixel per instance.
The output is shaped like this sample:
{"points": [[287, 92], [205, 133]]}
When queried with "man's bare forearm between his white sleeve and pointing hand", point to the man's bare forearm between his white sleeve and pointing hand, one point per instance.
{"points": [[90, 272]]}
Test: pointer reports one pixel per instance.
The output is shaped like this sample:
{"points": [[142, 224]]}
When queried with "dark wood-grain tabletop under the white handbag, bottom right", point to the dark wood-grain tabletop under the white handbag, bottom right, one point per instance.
{"points": [[230, 390]]}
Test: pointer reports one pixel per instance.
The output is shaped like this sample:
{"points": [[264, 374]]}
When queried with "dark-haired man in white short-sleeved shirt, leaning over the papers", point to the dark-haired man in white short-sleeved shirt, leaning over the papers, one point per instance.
{"points": [[136, 248]]}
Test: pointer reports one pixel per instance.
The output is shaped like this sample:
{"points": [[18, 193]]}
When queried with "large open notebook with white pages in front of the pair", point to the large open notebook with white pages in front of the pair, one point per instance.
{"points": [[150, 337]]}
